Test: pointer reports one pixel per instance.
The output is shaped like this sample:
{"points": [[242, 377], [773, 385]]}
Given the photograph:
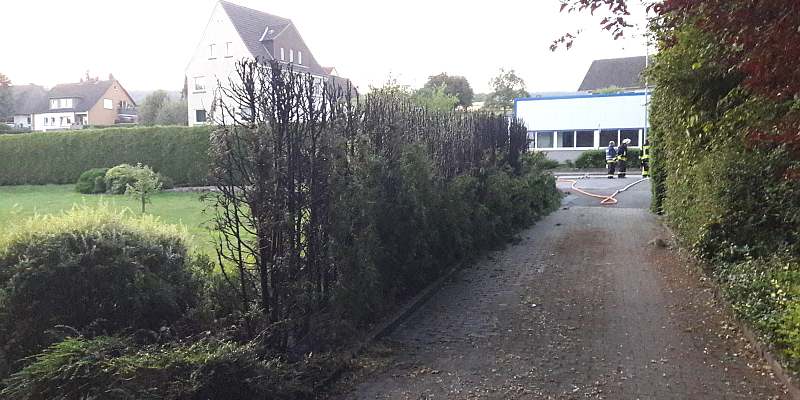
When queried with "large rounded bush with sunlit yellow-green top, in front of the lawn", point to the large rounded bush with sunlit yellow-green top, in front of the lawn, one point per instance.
{"points": [[93, 270]]}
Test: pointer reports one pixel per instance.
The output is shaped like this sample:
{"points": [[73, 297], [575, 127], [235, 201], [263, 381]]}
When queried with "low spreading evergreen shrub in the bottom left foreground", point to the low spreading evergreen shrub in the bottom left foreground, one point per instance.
{"points": [[124, 368]]}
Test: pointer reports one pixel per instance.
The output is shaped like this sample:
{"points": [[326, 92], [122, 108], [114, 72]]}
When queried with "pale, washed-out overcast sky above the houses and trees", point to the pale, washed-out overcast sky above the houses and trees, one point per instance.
{"points": [[147, 44]]}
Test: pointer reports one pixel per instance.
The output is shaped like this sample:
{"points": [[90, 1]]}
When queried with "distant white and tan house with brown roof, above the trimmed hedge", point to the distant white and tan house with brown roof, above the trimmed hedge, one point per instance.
{"points": [[71, 105]]}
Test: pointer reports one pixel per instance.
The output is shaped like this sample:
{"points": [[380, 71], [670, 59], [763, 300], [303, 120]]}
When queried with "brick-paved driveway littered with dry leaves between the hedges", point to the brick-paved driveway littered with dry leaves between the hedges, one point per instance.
{"points": [[582, 308]]}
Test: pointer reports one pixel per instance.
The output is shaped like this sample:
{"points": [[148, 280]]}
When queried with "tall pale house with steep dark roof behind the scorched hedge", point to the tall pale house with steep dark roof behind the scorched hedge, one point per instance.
{"points": [[234, 33]]}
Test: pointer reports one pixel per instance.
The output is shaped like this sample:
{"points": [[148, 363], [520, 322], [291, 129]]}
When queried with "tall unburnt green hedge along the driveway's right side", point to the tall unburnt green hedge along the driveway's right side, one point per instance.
{"points": [[726, 177]]}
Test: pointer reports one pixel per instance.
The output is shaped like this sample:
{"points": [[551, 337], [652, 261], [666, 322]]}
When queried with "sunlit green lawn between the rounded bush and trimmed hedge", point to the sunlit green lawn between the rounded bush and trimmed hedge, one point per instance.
{"points": [[20, 202]]}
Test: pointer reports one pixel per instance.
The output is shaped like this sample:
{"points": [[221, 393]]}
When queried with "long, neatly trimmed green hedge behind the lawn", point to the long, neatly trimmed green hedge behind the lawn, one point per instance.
{"points": [[40, 158]]}
